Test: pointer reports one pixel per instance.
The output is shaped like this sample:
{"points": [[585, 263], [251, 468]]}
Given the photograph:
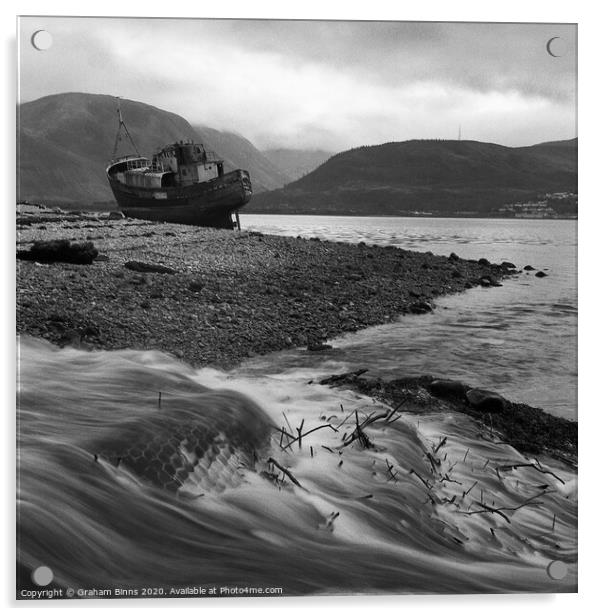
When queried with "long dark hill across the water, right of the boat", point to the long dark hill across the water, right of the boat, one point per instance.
{"points": [[431, 176]]}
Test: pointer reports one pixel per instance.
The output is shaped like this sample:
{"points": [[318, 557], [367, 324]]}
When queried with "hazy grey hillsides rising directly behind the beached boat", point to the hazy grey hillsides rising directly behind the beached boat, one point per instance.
{"points": [[66, 140]]}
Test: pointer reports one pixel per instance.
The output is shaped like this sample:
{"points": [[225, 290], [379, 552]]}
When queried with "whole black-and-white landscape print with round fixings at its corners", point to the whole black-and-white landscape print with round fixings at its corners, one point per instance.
{"points": [[296, 308]]}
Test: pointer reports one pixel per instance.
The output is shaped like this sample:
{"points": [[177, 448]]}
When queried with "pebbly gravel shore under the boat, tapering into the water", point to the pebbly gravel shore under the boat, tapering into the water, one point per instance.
{"points": [[221, 295]]}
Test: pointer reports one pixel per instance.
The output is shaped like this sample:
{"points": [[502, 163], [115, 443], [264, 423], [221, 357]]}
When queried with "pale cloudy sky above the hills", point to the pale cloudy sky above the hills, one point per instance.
{"points": [[327, 85]]}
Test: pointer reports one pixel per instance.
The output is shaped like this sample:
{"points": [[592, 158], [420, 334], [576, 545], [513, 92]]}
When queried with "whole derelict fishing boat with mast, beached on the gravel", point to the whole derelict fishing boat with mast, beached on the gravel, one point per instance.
{"points": [[182, 183]]}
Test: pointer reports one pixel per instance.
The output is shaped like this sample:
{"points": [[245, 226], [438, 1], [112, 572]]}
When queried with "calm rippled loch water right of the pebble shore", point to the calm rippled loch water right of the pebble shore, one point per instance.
{"points": [[519, 339]]}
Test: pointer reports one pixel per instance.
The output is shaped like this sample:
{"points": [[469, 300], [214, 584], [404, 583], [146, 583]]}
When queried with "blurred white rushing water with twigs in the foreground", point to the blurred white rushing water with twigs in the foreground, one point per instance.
{"points": [[312, 517]]}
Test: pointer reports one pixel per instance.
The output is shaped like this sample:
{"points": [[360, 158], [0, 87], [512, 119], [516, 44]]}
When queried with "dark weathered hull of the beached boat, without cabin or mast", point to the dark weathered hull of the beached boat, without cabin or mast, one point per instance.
{"points": [[205, 204]]}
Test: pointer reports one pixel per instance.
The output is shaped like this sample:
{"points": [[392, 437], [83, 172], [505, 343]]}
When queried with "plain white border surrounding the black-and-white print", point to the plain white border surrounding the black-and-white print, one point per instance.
{"points": [[589, 230]]}
